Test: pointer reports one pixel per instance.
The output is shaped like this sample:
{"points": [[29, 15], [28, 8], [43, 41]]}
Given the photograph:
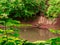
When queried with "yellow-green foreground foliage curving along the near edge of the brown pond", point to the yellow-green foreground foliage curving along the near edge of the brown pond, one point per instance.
{"points": [[12, 40]]}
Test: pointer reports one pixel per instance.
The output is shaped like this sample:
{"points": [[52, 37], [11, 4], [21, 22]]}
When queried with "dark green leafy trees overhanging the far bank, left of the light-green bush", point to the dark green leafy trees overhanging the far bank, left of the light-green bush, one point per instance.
{"points": [[20, 8]]}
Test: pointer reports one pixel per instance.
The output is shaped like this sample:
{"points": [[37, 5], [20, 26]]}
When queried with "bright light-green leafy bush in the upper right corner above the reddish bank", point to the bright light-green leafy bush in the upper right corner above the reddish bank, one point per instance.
{"points": [[54, 8]]}
